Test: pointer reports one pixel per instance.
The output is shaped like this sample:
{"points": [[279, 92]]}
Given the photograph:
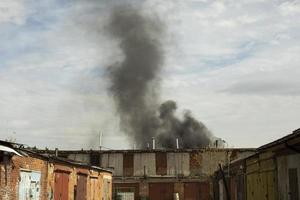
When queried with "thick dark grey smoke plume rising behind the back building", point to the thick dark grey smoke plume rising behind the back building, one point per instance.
{"points": [[135, 84]]}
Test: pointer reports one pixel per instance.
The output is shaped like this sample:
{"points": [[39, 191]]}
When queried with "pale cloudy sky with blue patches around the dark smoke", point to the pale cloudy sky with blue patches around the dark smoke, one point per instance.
{"points": [[234, 64]]}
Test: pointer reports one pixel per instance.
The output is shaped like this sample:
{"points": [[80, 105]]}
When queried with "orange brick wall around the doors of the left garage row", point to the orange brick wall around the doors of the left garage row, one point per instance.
{"points": [[18, 167]]}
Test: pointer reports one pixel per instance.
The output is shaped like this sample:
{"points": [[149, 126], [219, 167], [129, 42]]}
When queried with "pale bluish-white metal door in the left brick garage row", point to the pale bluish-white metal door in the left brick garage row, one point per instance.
{"points": [[29, 185]]}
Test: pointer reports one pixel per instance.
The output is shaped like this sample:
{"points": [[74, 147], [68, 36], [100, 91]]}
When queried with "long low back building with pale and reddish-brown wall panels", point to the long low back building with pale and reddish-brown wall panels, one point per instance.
{"points": [[159, 174]]}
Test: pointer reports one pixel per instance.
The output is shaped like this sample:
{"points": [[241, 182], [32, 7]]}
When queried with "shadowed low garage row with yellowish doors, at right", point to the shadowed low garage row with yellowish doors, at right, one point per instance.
{"points": [[272, 173]]}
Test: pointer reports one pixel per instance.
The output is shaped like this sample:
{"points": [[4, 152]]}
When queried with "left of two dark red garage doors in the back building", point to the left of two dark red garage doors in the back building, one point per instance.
{"points": [[161, 191]]}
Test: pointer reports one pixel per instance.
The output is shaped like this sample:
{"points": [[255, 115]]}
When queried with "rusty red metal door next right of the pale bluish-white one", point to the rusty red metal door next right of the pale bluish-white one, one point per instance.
{"points": [[61, 186]]}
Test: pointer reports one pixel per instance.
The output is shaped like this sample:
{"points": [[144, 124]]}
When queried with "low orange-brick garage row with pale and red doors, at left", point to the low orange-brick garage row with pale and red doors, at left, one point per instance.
{"points": [[25, 174]]}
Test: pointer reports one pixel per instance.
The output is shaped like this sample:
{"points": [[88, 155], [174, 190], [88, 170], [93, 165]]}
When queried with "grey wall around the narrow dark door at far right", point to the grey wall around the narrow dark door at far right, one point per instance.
{"points": [[284, 163]]}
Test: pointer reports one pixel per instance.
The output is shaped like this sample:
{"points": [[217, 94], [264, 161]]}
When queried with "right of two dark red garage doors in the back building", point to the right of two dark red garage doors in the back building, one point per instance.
{"points": [[196, 191]]}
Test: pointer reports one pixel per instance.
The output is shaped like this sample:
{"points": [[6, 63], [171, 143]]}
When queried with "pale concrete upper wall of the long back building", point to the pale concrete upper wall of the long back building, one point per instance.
{"points": [[196, 163]]}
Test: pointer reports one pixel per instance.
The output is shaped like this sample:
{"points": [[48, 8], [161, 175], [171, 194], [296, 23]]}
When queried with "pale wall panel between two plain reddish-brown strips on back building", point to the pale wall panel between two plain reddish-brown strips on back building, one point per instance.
{"points": [[142, 160]]}
